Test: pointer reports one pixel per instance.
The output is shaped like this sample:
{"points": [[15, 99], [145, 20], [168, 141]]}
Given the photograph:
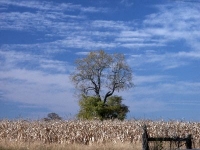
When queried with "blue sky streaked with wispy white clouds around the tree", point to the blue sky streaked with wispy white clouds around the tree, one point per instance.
{"points": [[40, 40]]}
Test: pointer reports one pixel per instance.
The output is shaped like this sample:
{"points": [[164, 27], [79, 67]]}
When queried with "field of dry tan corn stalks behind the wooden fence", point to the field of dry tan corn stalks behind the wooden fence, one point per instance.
{"points": [[87, 133]]}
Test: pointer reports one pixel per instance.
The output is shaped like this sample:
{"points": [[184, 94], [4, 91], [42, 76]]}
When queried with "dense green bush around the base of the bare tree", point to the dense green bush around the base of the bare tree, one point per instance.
{"points": [[93, 108]]}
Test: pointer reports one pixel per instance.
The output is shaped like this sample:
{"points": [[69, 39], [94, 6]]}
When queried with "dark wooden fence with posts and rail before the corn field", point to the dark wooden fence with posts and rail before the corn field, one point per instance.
{"points": [[146, 139]]}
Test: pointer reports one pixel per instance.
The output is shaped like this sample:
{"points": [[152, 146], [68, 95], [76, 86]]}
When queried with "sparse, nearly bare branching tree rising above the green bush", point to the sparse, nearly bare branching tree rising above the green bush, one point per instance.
{"points": [[102, 74]]}
